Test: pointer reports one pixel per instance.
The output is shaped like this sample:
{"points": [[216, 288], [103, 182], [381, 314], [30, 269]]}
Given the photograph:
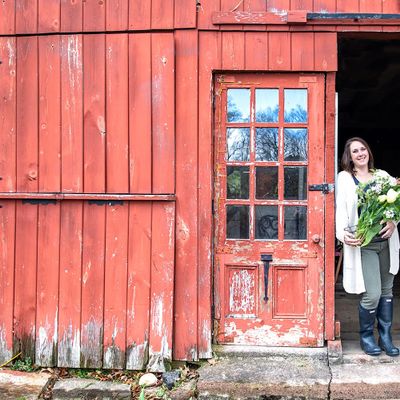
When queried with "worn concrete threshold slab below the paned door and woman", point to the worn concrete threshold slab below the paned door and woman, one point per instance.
{"points": [[248, 372]]}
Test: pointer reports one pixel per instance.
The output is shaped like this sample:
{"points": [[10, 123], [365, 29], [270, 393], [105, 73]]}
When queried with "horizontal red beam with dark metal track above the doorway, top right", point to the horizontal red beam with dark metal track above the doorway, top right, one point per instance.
{"points": [[302, 17]]}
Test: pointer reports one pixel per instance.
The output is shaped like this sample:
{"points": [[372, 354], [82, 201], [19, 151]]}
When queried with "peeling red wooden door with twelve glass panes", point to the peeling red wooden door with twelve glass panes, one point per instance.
{"points": [[269, 251]]}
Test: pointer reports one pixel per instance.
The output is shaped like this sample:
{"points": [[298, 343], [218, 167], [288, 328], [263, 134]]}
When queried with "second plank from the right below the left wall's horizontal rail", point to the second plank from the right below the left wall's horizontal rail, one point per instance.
{"points": [[138, 289]]}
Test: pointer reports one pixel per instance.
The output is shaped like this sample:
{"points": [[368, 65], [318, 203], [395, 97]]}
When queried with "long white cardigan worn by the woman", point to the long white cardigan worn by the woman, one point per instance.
{"points": [[347, 215]]}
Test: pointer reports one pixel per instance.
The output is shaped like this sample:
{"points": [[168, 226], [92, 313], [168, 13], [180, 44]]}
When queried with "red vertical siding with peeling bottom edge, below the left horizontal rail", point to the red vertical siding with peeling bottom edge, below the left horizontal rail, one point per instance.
{"points": [[77, 284]]}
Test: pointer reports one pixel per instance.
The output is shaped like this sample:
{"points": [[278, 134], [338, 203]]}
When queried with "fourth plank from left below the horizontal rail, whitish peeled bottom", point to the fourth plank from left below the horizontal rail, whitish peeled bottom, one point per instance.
{"points": [[69, 326]]}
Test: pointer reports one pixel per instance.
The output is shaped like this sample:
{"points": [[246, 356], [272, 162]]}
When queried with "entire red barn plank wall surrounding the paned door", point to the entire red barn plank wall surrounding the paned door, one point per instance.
{"points": [[112, 102]]}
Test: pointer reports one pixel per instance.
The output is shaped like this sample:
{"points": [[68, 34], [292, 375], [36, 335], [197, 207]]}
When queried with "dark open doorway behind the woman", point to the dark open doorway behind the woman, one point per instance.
{"points": [[368, 87]]}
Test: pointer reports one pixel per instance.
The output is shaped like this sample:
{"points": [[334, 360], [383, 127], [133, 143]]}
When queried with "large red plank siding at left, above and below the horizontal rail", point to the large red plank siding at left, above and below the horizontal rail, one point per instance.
{"points": [[93, 283]]}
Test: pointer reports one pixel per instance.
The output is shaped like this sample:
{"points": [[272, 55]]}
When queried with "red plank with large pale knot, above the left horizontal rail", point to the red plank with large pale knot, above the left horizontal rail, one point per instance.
{"points": [[94, 113]]}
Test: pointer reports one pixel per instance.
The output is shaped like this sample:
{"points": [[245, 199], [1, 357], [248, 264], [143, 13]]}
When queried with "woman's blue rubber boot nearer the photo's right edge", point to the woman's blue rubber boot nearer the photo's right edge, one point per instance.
{"points": [[385, 317]]}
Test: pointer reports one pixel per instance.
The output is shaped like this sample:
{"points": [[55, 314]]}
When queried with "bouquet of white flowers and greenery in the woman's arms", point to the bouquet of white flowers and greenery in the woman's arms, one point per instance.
{"points": [[379, 201]]}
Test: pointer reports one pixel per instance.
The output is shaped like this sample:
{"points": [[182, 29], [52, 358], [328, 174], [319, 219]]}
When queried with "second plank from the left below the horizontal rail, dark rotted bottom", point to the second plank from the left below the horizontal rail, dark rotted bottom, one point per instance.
{"points": [[25, 279]]}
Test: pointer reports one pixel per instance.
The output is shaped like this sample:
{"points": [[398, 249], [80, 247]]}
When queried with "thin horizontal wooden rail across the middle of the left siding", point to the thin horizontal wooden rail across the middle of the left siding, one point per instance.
{"points": [[86, 196]]}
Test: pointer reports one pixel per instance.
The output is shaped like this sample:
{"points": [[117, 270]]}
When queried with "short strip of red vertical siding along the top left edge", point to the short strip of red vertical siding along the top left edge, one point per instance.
{"points": [[45, 16]]}
